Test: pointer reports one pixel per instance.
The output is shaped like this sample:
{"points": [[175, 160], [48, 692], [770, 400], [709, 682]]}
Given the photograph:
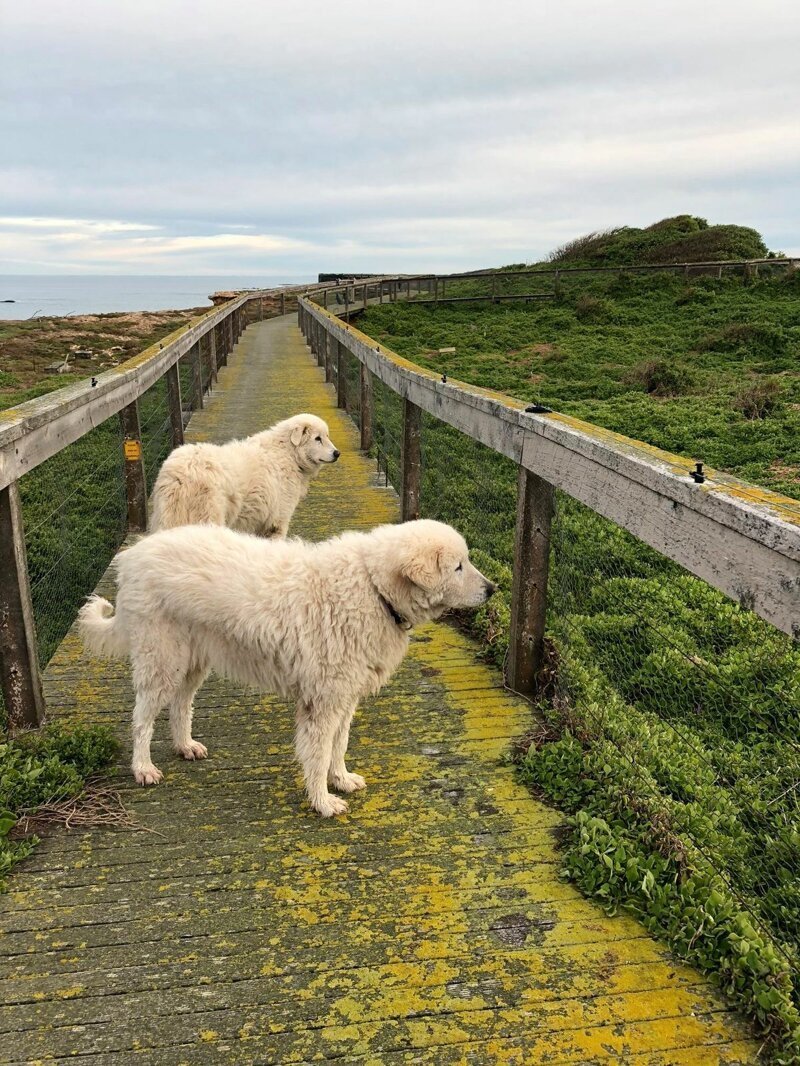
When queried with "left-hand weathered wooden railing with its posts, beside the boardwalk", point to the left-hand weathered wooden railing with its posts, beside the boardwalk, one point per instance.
{"points": [[36, 431]]}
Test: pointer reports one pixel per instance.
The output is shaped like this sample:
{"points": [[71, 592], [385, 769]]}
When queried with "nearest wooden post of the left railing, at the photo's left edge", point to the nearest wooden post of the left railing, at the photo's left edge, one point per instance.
{"points": [[21, 680]]}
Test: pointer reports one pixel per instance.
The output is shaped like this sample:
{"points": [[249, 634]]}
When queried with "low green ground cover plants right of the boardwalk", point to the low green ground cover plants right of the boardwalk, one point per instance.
{"points": [[669, 730]]}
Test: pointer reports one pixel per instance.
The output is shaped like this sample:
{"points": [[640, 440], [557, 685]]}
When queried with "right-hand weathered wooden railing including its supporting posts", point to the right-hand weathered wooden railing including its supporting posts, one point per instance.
{"points": [[741, 539]]}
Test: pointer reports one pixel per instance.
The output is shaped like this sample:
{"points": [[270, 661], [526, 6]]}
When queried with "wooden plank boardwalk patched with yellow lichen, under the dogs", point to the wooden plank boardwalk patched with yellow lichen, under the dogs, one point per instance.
{"points": [[429, 926]]}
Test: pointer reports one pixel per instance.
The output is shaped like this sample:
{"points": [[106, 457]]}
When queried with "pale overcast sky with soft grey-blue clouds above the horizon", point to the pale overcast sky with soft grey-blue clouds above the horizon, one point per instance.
{"points": [[173, 138]]}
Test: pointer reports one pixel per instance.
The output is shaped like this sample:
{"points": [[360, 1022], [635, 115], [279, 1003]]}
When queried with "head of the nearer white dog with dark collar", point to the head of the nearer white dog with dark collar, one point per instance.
{"points": [[431, 572]]}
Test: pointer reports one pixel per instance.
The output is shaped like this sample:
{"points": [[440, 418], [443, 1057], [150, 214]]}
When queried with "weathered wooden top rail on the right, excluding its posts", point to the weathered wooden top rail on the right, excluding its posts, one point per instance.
{"points": [[742, 540]]}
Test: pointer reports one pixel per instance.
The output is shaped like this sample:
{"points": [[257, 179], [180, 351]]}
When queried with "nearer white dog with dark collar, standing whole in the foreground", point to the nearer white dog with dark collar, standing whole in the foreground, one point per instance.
{"points": [[325, 624]]}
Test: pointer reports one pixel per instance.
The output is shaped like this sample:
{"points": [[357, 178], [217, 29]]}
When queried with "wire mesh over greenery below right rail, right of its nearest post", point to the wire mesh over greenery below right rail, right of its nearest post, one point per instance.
{"points": [[693, 704]]}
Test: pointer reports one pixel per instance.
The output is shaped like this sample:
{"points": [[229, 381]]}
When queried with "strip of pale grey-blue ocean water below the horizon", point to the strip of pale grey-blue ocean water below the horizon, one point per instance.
{"points": [[42, 295]]}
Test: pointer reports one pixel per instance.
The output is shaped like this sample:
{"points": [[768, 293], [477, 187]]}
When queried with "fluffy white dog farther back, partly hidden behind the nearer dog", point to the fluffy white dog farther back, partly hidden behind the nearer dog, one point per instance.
{"points": [[253, 486]]}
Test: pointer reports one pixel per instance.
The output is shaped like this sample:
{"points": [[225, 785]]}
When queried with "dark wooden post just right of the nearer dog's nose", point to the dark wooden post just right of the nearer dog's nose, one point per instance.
{"points": [[535, 505]]}
